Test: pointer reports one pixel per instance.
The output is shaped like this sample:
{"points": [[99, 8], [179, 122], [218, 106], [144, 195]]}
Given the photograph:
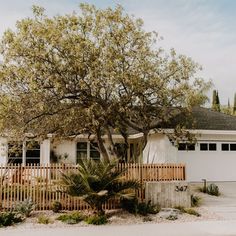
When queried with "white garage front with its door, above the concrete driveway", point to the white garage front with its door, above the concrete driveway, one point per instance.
{"points": [[210, 165]]}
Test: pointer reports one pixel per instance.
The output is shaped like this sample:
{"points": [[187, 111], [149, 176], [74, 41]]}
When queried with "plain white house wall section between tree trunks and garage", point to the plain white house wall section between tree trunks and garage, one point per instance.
{"points": [[159, 150]]}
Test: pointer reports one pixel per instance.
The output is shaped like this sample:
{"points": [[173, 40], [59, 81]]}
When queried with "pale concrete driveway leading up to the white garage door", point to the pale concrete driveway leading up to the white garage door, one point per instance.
{"points": [[225, 204]]}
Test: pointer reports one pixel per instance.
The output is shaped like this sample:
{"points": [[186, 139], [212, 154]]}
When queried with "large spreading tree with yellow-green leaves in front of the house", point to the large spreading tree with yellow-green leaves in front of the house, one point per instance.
{"points": [[95, 72]]}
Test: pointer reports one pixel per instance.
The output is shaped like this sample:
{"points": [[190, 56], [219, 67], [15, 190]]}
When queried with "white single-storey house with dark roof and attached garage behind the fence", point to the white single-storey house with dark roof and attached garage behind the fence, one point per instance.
{"points": [[213, 157]]}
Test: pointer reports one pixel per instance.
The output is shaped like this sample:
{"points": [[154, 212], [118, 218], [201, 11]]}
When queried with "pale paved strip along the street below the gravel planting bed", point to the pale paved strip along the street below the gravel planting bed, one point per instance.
{"points": [[207, 228]]}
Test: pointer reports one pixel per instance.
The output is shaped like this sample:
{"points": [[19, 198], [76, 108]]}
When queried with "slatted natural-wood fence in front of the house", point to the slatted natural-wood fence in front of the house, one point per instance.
{"points": [[41, 183]]}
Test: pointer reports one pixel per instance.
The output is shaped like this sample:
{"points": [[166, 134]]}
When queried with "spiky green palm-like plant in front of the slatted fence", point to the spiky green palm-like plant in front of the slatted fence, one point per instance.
{"points": [[97, 181]]}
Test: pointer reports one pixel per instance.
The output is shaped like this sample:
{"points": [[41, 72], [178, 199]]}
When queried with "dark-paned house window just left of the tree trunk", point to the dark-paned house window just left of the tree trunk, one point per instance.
{"points": [[87, 150]]}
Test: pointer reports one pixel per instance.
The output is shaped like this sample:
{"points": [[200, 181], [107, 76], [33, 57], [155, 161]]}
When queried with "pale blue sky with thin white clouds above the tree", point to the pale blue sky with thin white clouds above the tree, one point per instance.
{"points": [[205, 30]]}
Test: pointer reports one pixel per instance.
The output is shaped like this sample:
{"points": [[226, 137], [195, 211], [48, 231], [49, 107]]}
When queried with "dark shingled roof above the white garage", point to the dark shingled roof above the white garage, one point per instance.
{"points": [[205, 119]]}
